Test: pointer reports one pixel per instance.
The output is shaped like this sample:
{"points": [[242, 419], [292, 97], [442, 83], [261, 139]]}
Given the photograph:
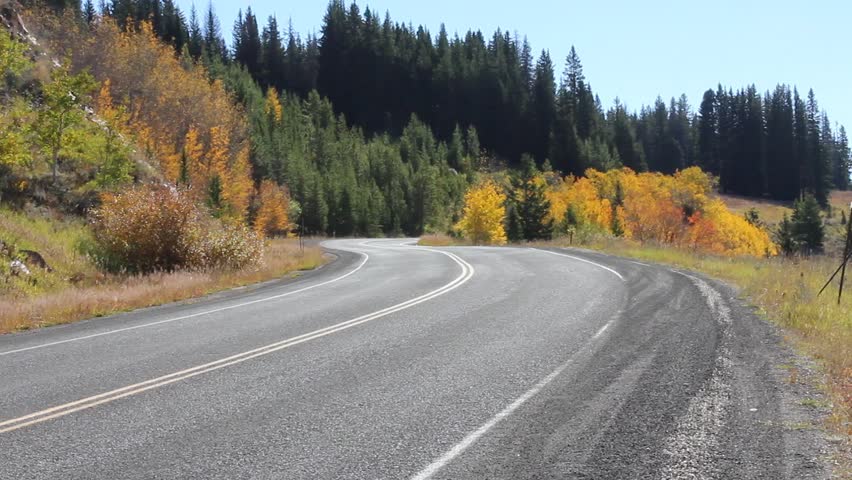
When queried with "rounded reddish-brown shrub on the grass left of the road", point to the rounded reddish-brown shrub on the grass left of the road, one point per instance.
{"points": [[160, 227]]}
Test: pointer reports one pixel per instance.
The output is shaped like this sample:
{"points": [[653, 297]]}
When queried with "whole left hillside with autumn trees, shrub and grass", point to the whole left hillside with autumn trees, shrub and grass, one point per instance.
{"points": [[89, 223]]}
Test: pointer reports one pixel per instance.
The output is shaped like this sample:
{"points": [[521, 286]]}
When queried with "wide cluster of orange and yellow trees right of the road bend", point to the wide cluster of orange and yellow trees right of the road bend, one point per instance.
{"points": [[651, 207]]}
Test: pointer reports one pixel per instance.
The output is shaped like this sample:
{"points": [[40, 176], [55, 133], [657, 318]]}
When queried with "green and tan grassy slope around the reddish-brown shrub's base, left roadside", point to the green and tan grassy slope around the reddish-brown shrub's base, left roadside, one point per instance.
{"points": [[54, 298]]}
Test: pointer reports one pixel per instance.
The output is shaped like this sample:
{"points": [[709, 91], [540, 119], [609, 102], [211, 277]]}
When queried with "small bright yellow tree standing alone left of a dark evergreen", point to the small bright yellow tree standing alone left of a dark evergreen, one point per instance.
{"points": [[484, 215]]}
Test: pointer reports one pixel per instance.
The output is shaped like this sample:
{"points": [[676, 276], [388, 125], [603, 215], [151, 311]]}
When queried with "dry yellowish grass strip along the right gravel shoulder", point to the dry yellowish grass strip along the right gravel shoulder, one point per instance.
{"points": [[785, 291]]}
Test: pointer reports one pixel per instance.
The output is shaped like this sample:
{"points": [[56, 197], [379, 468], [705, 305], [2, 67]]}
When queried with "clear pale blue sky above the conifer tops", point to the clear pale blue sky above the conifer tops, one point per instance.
{"points": [[637, 50]]}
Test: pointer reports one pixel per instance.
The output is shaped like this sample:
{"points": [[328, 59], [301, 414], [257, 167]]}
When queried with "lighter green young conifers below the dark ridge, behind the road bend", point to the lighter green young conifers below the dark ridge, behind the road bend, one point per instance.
{"points": [[345, 183]]}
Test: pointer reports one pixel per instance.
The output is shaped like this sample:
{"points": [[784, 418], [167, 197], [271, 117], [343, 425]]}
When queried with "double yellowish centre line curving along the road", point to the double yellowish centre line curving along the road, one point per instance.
{"points": [[106, 397]]}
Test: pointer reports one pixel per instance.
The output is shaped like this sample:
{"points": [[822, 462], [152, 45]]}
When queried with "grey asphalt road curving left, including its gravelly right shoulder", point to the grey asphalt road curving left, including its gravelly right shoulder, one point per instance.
{"points": [[406, 362]]}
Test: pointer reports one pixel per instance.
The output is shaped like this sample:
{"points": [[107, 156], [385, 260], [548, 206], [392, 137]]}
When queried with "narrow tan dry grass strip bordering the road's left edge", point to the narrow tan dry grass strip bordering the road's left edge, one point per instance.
{"points": [[122, 293]]}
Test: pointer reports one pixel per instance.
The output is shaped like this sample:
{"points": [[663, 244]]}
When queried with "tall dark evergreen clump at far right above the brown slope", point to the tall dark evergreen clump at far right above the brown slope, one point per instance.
{"points": [[778, 144]]}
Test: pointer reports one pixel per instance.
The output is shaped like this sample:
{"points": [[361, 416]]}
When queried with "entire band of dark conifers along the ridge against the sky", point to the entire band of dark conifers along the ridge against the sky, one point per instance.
{"points": [[377, 73]]}
